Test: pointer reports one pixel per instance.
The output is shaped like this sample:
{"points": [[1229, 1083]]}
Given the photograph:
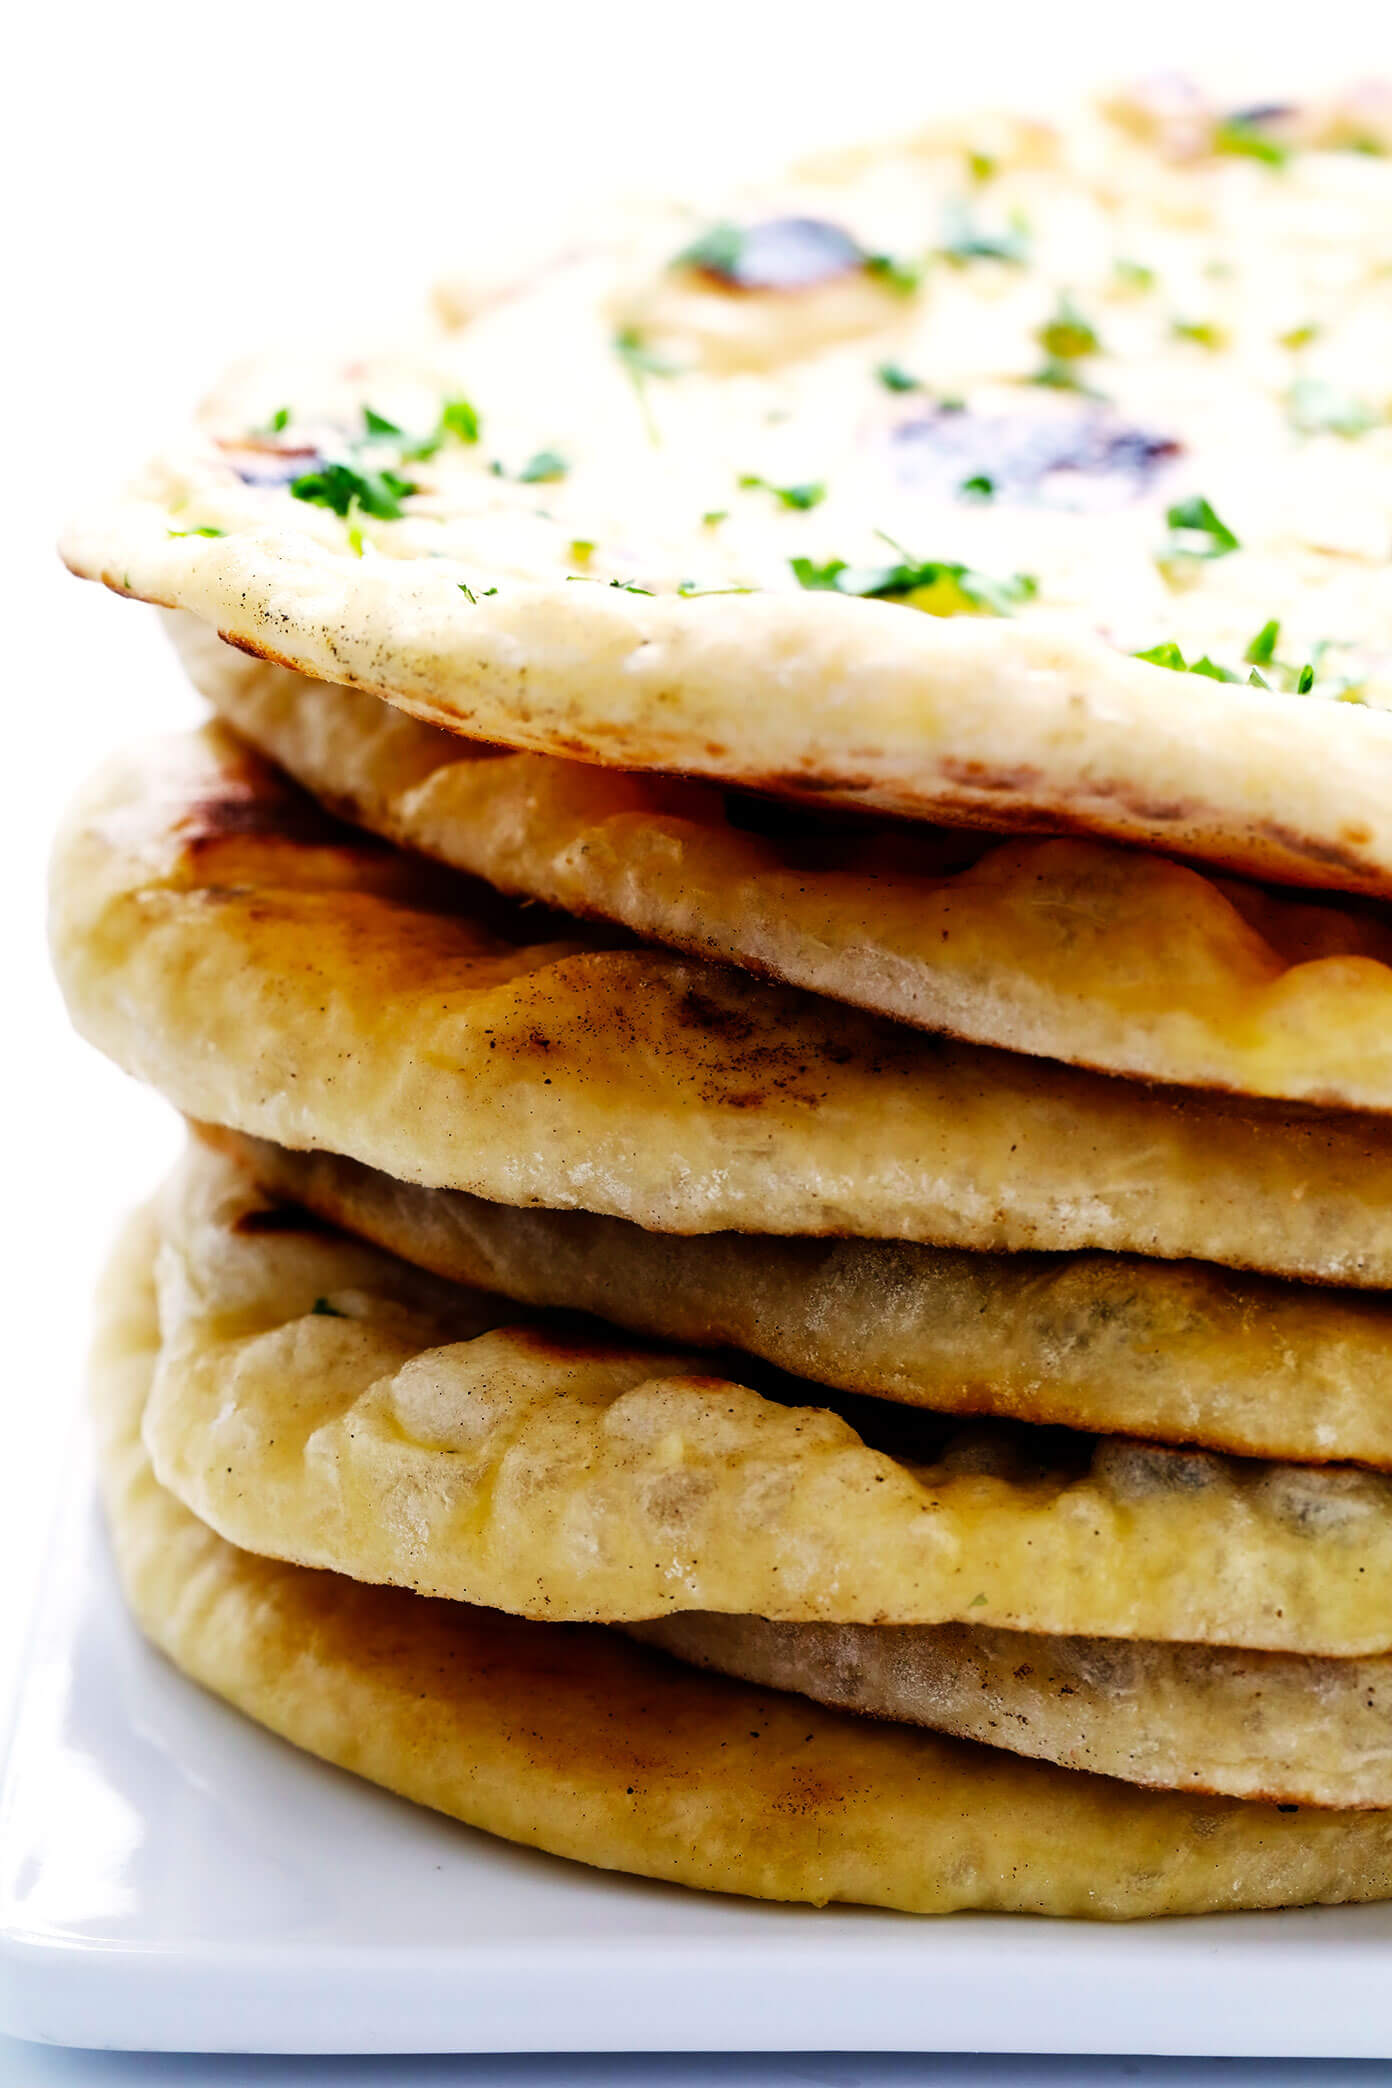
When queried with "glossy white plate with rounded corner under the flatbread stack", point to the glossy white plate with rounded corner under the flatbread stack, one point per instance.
{"points": [[176, 1880]]}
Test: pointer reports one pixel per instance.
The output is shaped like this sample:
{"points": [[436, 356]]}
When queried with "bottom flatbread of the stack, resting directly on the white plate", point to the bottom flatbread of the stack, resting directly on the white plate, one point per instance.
{"points": [[577, 1742]]}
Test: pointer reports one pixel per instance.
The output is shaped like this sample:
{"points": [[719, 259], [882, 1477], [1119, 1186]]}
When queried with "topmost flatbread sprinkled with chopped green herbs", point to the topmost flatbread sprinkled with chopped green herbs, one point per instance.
{"points": [[1088, 337]]}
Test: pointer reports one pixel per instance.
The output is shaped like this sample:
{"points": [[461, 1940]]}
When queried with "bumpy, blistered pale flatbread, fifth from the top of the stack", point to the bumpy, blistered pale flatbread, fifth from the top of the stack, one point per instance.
{"points": [[316, 1404]]}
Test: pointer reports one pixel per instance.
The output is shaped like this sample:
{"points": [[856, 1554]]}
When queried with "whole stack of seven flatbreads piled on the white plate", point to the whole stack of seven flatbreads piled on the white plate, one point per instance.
{"points": [[779, 962]]}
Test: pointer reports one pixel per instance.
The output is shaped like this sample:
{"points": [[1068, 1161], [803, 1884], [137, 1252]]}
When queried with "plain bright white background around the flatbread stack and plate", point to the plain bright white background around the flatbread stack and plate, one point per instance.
{"points": [[191, 181]]}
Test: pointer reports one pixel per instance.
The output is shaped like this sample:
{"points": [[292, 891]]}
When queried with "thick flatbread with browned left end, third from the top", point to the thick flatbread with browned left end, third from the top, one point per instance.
{"points": [[283, 978]]}
